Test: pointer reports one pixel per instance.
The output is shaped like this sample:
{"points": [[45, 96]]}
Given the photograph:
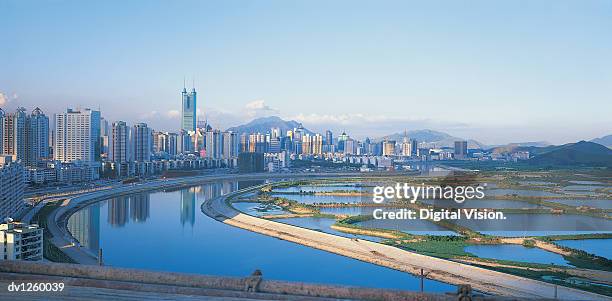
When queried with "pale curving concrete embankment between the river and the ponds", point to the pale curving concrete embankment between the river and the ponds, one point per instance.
{"points": [[395, 258]]}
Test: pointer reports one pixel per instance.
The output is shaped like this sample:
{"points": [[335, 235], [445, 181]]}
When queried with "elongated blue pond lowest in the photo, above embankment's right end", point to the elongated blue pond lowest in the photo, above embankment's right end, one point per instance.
{"points": [[516, 253]]}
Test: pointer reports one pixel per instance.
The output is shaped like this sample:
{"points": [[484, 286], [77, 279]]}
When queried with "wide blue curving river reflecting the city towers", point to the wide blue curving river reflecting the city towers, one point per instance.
{"points": [[167, 231]]}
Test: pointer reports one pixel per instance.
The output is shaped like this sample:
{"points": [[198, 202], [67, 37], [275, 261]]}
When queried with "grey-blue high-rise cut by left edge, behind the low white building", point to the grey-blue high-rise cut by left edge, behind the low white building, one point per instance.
{"points": [[11, 186]]}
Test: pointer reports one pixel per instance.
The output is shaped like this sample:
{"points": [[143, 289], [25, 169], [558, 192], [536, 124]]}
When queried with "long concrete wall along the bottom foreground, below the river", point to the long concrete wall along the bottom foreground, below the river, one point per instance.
{"points": [[246, 285]]}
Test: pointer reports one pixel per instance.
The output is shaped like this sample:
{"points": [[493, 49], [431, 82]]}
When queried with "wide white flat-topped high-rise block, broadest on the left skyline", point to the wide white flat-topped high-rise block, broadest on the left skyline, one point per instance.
{"points": [[77, 136]]}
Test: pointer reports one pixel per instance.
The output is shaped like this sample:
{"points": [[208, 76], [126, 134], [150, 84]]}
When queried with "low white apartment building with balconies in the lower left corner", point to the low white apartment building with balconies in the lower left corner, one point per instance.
{"points": [[20, 242]]}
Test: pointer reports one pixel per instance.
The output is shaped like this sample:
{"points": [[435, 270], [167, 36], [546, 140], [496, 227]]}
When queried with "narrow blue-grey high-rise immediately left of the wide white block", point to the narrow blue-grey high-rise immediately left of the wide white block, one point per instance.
{"points": [[37, 132]]}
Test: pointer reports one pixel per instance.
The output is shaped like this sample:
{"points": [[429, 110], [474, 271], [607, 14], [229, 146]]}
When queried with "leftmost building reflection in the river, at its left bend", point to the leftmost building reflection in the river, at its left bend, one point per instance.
{"points": [[84, 225]]}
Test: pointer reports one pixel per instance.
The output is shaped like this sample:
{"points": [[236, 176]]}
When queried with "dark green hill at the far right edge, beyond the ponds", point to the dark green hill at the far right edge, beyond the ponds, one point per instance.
{"points": [[581, 153]]}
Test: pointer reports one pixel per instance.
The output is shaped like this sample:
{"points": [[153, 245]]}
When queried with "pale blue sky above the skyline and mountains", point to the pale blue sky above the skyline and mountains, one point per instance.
{"points": [[494, 71]]}
